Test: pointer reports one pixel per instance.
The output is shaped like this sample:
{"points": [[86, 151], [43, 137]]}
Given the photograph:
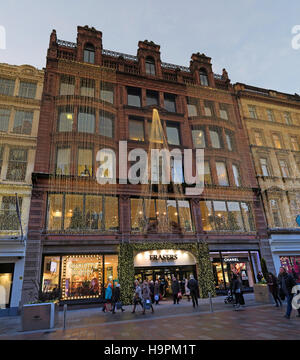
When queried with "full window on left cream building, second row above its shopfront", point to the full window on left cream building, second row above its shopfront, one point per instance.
{"points": [[17, 164]]}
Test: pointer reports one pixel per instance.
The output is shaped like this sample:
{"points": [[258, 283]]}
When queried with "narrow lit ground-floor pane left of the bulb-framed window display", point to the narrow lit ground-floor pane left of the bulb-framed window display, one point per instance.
{"points": [[51, 275]]}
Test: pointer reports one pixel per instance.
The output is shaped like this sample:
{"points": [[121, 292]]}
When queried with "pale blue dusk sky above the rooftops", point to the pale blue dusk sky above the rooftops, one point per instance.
{"points": [[252, 39]]}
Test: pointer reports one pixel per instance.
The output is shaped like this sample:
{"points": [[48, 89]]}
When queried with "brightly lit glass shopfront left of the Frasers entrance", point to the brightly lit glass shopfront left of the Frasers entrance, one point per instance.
{"points": [[78, 277]]}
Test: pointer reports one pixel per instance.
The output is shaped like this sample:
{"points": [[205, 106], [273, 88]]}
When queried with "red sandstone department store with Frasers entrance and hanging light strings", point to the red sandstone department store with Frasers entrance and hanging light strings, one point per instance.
{"points": [[94, 98]]}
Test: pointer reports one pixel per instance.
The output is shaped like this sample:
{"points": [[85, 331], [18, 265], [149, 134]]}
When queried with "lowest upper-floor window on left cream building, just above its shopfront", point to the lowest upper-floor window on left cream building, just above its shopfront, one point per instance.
{"points": [[8, 213]]}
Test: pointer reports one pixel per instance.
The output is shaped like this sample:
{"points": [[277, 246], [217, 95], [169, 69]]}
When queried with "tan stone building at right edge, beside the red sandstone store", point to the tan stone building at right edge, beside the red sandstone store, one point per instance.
{"points": [[272, 120]]}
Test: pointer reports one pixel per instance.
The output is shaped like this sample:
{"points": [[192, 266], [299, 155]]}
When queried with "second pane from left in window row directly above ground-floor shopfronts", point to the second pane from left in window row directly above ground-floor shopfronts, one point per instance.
{"points": [[74, 219]]}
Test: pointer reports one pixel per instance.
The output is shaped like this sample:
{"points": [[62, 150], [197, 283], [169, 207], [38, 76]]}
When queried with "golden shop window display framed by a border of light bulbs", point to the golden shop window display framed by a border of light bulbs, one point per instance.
{"points": [[82, 277]]}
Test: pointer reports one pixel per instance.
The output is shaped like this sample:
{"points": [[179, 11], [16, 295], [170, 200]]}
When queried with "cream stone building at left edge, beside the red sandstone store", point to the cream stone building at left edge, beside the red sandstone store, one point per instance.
{"points": [[20, 99]]}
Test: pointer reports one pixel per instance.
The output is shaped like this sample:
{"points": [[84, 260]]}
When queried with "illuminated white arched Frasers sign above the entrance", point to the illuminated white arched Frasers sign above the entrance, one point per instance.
{"points": [[164, 258]]}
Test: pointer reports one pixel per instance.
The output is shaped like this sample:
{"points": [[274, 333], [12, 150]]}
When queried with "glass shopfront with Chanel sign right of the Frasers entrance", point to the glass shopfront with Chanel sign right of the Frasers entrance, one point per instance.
{"points": [[246, 264]]}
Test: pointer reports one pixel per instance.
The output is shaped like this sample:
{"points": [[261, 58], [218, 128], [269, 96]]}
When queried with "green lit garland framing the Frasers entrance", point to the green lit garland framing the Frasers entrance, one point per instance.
{"points": [[126, 266]]}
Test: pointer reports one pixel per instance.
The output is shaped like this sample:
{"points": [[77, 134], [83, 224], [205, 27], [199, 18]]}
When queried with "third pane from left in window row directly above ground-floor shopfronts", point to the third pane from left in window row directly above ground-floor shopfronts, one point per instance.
{"points": [[93, 212]]}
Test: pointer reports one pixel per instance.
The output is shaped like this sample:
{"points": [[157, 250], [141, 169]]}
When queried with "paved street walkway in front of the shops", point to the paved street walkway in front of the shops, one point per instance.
{"points": [[169, 322]]}
